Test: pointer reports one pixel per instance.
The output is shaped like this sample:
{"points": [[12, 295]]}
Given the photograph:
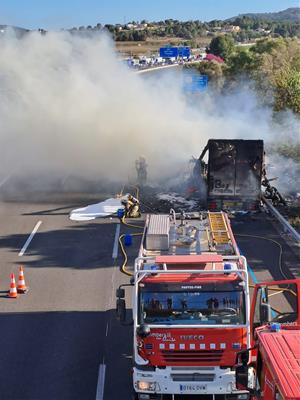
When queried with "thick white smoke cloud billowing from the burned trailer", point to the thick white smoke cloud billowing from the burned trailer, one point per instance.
{"points": [[69, 105]]}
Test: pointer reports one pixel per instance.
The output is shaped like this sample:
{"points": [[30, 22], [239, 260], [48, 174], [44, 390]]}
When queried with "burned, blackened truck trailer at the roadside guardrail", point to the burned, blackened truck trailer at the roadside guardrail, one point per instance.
{"points": [[233, 173]]}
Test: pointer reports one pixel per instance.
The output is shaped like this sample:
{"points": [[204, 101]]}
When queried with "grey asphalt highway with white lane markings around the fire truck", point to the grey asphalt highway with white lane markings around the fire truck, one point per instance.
{"points": [[61, 341]]}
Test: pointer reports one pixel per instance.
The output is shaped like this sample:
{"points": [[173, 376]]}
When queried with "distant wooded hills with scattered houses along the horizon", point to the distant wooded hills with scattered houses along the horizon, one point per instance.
{"points": [[243, 28]]}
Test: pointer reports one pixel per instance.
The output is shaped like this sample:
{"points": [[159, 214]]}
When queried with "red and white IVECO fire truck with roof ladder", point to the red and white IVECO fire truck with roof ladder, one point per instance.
{"points": [[190, 307]]}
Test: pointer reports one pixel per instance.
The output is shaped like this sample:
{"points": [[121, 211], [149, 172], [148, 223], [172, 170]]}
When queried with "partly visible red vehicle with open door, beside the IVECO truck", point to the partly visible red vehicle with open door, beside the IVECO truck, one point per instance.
{"points": [[271, 369]]}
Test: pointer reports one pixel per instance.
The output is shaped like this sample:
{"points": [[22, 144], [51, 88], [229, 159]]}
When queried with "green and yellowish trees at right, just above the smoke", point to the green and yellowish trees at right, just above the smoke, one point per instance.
{"points": [[272, 64]]}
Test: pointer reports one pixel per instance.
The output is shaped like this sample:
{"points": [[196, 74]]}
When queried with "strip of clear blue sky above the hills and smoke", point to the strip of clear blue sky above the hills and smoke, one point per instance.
{"points": [[57, 14]]}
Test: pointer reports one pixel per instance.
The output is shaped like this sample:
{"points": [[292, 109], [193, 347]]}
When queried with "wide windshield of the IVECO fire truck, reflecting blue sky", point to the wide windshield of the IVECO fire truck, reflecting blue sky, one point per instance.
{"points": [[207, 304]]}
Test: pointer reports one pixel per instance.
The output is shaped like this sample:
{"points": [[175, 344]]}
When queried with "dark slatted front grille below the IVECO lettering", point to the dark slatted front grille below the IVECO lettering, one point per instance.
{"points": [[192, 356]]}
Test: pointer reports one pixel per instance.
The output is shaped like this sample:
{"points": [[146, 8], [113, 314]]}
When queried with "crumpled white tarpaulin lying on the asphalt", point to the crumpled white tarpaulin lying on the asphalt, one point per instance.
{"points": [[98, 210]]}
